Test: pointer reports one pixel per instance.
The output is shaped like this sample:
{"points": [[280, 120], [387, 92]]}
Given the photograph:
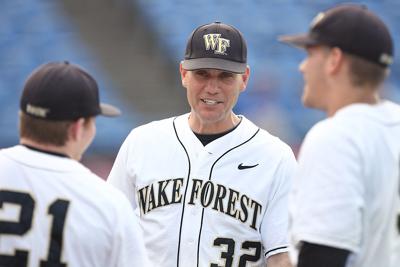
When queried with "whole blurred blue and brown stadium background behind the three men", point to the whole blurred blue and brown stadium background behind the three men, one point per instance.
{"points": [[133, 48]]}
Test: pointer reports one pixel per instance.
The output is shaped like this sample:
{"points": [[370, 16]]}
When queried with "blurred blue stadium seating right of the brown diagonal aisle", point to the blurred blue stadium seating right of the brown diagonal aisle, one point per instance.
{"points": [[274, 65]]}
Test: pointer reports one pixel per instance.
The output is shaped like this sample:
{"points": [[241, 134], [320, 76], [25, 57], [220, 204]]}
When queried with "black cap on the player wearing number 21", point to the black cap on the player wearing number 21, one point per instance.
{"points": [[63, 91]]}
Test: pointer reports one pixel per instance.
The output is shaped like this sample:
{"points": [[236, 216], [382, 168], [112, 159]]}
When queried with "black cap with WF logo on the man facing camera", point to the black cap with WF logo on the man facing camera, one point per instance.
{"points": [[216, 46]]}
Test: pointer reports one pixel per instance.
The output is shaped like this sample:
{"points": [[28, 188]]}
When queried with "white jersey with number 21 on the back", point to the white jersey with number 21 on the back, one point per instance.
{"points": [[55, 212]]}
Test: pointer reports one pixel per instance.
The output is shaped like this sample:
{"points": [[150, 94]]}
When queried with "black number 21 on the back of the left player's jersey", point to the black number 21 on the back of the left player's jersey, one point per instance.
{"points": [[57, 210]]}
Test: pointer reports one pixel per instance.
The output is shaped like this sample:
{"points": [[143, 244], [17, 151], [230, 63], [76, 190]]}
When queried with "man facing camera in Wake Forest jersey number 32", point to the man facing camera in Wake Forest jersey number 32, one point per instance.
{"points": [[210, 187]]}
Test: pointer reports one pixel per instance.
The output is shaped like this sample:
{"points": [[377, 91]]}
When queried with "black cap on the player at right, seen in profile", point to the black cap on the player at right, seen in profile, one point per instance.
{"points": [[352, 28]]}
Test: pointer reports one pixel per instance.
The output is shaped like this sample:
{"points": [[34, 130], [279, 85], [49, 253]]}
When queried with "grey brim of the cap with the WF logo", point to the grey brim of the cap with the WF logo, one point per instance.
{"points": [[214, 63]]}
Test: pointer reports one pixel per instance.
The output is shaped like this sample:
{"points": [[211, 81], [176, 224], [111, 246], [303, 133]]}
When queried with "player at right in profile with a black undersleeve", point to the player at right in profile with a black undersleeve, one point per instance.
{"points": [[344, 202]]}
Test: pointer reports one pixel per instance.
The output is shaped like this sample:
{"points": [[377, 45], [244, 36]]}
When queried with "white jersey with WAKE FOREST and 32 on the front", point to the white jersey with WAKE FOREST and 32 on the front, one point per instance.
{"points": [[223, 204]]}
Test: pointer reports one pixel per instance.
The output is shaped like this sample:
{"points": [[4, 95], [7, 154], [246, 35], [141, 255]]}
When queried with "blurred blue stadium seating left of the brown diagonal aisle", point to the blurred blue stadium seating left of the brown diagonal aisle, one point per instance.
{"points": [[33, 32]]}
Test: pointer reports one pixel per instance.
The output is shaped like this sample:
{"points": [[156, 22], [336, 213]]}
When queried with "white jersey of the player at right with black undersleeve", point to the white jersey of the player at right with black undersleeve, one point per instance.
{"points": [[346, 191]]}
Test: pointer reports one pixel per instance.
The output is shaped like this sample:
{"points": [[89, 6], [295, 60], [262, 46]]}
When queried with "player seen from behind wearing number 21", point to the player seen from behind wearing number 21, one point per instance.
{"points": [[53, 210]]}
